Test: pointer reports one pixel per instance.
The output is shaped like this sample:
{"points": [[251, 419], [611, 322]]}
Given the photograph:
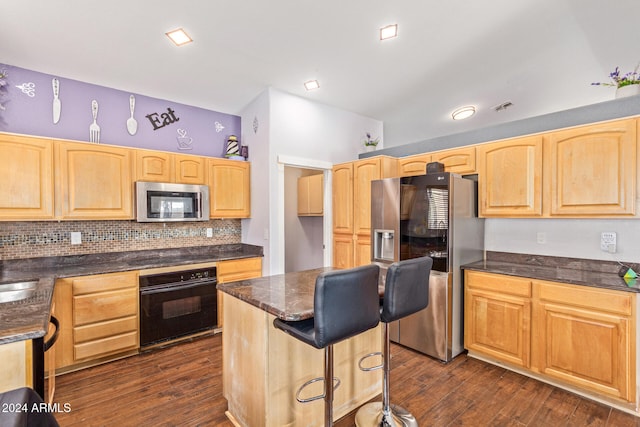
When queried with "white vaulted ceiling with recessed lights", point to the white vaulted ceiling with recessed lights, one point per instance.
{"points": [[540, 55]]}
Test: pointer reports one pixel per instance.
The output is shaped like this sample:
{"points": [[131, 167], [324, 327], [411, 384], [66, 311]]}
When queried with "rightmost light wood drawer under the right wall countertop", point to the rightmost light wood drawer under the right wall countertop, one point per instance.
{"points": [[580, 296]]}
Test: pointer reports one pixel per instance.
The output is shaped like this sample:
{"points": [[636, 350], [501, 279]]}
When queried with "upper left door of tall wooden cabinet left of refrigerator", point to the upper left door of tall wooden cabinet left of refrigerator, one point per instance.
{"points": [[343, 198]]}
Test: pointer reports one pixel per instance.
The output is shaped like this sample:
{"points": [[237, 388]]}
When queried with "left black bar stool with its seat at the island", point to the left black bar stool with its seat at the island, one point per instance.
{"points": [[345, 304]]}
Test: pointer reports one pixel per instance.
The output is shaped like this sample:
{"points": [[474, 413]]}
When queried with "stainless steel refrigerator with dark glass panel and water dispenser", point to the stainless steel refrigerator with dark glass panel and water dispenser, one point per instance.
{"points": [[429, 215]]}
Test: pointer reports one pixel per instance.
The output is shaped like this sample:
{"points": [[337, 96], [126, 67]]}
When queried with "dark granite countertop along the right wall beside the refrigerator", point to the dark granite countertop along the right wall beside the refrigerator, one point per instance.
{"points": [[595, 273]]}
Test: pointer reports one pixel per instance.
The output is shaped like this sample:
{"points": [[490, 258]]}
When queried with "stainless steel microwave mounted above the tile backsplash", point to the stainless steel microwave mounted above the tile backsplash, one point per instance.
{"points": [[168, 202]]}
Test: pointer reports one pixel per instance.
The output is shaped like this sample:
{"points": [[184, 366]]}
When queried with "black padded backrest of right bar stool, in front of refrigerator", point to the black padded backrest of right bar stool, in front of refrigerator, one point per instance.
{"points": [[406, 288]]}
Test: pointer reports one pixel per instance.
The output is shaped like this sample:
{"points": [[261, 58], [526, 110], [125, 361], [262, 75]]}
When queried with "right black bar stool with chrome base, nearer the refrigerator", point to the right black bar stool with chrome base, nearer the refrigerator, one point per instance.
{"points": [[406, 291]]}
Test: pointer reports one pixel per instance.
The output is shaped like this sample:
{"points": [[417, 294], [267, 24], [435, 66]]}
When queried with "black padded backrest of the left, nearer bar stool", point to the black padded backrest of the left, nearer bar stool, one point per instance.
{"points": [[346, 303]]}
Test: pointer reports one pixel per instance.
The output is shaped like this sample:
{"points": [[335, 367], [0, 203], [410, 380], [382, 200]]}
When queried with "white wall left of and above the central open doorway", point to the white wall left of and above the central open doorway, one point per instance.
{"points": [[298, 128]]}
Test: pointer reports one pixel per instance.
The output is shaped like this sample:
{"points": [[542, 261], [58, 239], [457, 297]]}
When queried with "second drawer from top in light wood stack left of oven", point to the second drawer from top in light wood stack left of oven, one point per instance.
{"points": [[104, 306]]}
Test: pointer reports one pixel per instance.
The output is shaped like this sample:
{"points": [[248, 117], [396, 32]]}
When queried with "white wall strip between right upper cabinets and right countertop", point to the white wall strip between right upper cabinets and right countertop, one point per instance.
{"points": [[573, 238]]}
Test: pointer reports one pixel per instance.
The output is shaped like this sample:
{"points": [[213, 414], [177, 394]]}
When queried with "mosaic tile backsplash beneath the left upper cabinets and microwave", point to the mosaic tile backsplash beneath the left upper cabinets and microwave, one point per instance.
{"points": [[20, 240]]}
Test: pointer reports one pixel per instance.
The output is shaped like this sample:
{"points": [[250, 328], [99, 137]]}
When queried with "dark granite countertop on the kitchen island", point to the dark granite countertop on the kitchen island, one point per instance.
{"points": [[287, 296]]}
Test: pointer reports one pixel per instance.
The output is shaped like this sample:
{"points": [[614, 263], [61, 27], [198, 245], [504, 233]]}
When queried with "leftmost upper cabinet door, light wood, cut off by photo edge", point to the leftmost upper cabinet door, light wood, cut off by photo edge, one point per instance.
{"points": [[26, 174]]}
